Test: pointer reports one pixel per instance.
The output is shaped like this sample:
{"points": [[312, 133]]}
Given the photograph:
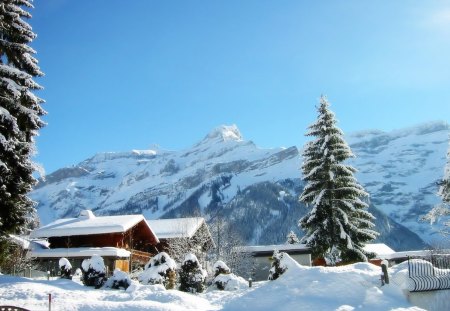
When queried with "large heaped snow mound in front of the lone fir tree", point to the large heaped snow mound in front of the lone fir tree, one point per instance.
{"points": [[355, 286]]}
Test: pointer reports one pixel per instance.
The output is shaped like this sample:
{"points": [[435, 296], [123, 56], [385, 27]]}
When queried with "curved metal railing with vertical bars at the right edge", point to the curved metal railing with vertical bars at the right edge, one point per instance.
{"points": [[430, 273]]}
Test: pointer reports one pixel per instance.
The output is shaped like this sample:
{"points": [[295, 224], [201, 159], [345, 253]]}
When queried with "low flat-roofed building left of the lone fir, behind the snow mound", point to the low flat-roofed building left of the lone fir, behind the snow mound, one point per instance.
{"points": [[261, 257]]}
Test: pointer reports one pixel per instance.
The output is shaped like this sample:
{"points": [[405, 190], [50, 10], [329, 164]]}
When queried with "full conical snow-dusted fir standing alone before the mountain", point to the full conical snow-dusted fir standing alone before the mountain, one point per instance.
{"points": [[338, 224]]}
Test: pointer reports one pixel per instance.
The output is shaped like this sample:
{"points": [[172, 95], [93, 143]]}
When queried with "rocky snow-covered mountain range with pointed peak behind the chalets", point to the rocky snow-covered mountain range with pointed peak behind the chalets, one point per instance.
{"points": [[255, 189]]}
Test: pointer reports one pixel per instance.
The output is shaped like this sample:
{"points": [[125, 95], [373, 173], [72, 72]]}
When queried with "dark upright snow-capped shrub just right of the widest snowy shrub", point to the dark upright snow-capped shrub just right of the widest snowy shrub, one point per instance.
{"points": [[192, 276]]}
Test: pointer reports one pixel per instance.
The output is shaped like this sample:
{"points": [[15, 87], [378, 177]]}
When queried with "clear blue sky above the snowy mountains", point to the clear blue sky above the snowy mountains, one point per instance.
{"points": [[123, 75]]}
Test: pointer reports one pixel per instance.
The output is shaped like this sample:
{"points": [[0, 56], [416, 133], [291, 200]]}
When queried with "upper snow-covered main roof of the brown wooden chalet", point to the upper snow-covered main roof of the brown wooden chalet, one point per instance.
{"points": [[87, 223]]}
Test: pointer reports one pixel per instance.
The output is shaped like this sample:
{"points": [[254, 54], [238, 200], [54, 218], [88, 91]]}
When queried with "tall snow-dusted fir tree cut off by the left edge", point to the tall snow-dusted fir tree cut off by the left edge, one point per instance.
{"points": [[20, 115]]}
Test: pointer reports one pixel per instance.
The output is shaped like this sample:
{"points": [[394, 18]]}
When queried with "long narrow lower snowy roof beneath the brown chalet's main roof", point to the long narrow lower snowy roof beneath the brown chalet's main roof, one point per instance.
{"points": [[79, 252]]}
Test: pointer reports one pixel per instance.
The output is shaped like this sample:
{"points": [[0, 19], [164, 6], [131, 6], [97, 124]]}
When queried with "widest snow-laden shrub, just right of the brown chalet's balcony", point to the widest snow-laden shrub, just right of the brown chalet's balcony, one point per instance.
{"points": [[160, 270]]}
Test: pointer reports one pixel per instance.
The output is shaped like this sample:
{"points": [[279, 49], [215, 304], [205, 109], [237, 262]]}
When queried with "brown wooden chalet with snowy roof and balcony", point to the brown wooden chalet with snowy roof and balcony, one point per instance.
{"points": [[121, 240]]}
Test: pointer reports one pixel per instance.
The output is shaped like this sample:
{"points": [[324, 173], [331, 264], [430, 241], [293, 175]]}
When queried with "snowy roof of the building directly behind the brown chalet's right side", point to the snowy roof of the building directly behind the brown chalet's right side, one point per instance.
{"points": [[176, 227]]}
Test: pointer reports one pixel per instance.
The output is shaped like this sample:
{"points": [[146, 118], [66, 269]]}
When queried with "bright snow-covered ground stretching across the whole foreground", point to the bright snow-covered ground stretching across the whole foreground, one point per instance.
{"points": [[353, 287]]}
